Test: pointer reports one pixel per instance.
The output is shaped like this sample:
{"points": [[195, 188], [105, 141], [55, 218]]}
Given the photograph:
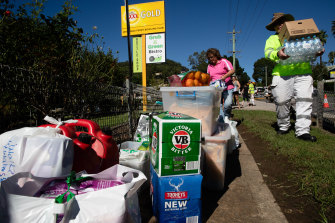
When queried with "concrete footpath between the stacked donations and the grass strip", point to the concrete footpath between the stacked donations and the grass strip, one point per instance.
{"points": [[247, 198]]}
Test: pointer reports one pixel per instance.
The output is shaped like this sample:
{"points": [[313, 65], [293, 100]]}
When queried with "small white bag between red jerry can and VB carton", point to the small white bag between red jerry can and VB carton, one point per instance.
{"points": [[131, 157]]}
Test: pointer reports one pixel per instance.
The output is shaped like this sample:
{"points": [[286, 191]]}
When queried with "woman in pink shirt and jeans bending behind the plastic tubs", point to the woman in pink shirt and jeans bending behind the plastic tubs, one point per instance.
{"points": [[220, 71]]}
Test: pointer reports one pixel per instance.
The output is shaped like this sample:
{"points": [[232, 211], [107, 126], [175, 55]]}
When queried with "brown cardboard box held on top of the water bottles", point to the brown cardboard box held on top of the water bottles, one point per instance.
{"points": [[297, 29]]}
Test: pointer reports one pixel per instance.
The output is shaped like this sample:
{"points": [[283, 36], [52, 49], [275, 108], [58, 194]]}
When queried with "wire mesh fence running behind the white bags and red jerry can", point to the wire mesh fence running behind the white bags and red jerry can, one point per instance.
{"points": [[110, 106]]}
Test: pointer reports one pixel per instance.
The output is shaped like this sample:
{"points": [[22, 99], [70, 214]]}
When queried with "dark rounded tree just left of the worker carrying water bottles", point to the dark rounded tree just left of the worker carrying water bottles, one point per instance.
{"points": [[260, 67]]}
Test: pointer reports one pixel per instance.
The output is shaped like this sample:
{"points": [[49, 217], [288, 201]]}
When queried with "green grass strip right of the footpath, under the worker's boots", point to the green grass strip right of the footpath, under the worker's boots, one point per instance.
{"points": [[315, 161]]}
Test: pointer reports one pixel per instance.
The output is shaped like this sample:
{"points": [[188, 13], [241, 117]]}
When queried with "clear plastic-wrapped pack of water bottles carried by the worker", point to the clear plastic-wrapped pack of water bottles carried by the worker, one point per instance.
{"points": [[301, 50]]}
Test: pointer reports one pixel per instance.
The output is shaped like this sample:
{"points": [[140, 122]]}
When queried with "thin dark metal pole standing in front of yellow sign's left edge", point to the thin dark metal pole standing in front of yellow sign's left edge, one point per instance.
{"points": [[130, 89]]}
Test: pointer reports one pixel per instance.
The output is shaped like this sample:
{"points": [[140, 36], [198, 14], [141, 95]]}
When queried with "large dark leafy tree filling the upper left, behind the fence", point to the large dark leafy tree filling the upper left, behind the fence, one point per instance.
{"points": [[66, 63]]}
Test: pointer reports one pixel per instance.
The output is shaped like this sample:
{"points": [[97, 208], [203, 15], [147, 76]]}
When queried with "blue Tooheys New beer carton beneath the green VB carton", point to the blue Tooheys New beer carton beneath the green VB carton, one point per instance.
{"points": [[176, 198]]}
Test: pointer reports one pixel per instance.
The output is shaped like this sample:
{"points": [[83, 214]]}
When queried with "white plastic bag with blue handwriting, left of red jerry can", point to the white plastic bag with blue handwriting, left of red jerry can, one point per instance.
{"points": [[42, 151]]}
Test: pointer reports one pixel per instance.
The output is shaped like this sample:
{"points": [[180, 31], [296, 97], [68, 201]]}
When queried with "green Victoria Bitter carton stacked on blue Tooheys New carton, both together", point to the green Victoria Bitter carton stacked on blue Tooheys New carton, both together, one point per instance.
{"points": [[175, 167]]}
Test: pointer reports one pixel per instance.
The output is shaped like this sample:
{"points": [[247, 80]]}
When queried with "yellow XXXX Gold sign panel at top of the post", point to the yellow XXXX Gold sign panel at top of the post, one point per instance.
{"points": [[143, 18]]}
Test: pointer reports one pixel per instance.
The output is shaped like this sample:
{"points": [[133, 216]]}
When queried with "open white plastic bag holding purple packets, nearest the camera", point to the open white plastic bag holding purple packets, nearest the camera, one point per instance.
{"points": [[115, 204]]}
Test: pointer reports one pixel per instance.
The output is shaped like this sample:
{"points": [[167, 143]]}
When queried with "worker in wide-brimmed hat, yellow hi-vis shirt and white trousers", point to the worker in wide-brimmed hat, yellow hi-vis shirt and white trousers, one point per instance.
{"points": [[291, 80]]}
